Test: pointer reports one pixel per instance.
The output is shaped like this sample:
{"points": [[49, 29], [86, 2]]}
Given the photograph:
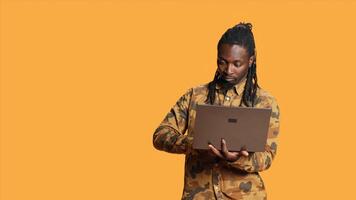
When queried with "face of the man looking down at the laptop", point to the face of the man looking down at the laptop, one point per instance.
{"points": [[233, 62]]}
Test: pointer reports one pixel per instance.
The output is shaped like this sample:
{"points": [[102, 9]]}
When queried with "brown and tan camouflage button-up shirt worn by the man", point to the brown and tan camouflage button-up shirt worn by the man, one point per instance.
{"points": [[206, 176]]}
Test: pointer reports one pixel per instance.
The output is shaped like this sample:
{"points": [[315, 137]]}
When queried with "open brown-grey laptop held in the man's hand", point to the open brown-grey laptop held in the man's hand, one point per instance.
{"points": [[240, 127]]}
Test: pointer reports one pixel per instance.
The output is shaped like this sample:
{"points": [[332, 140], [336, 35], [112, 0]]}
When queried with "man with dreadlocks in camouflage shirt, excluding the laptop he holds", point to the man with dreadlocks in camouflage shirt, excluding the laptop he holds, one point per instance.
{"points": [[215, 174]]}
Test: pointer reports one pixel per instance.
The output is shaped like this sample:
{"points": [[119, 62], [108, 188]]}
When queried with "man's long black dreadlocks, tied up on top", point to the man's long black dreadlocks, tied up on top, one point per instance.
{"points": [[241, 34]]}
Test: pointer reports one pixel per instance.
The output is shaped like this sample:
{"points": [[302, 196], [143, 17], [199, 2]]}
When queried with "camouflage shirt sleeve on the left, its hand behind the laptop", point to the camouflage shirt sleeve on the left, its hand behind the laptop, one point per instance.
{"points": [[170, 135]]}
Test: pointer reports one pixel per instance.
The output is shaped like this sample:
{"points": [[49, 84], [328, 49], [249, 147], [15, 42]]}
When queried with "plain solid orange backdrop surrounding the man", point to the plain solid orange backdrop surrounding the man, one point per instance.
{"points": [[84, 84]]}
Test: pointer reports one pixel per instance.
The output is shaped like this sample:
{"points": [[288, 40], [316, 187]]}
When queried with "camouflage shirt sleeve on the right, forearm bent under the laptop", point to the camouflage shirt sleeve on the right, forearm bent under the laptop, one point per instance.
{"points": [[260, 161]]}
